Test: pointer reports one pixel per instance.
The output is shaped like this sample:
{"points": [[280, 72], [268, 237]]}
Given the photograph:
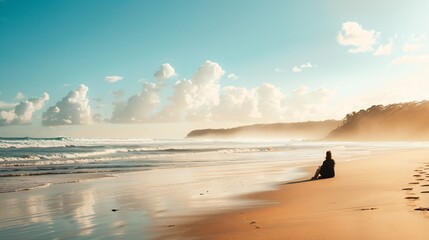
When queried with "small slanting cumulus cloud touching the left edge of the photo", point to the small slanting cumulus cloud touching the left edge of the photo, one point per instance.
{"points": [[22, 113]]}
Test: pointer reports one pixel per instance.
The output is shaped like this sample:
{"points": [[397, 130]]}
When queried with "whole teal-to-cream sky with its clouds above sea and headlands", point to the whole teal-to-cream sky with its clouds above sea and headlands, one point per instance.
{"points": [[158, 69]]}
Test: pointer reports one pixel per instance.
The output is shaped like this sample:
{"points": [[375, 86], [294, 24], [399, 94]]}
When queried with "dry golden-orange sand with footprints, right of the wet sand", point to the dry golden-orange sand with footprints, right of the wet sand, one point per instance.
{"points": [[366, 200]]}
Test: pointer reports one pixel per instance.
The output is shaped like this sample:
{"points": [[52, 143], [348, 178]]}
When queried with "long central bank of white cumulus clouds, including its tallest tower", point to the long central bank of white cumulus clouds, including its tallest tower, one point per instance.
{"points": [[202, 99]]}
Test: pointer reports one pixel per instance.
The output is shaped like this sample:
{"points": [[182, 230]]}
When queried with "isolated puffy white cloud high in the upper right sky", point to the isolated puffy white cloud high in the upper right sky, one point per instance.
{"points": [[354, 35]]}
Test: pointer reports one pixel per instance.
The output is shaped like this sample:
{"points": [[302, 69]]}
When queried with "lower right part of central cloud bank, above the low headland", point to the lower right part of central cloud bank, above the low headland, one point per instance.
{"points": [[267, 103]]}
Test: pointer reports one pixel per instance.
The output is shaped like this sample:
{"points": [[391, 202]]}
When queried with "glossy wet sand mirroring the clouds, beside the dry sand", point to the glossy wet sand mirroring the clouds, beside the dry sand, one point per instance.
{"points": [[143, 202]]}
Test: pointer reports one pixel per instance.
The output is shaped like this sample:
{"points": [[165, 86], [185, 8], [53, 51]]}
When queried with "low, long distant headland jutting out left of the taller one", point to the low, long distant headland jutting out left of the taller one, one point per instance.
{"points": [[313, 130]]}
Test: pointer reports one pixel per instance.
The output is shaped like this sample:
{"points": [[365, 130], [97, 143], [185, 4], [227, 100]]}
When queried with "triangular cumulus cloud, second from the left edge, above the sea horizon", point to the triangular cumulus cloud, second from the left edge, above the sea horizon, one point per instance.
{"points": [[73, 109]]}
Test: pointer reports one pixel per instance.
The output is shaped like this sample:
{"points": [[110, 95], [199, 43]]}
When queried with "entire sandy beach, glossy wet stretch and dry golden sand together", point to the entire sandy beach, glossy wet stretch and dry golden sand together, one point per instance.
{"points": [[373, 197]]}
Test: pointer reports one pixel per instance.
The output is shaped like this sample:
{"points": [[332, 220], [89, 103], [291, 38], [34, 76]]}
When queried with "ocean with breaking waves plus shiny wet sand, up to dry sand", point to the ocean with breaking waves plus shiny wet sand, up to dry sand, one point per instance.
{"points": [[70, 185]]}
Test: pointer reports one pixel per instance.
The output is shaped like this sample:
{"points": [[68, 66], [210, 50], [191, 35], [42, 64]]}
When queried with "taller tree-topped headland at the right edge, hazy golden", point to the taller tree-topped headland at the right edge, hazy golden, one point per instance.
{"points": [[402, 121]]}
